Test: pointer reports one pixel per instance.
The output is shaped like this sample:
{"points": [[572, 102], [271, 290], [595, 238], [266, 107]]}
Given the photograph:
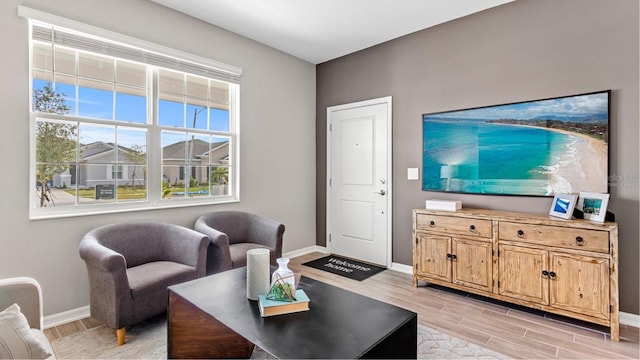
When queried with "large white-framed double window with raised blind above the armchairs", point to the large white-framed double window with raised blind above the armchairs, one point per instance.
{"points": [[159, 130]]}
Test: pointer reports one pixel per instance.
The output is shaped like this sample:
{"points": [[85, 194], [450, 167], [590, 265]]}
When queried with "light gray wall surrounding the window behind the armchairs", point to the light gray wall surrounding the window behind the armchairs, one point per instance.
{"points": [[276, 146]]}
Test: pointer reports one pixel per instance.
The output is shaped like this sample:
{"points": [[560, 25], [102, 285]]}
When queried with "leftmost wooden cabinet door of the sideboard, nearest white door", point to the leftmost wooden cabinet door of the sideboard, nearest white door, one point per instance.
{"points": [[430, 255]]}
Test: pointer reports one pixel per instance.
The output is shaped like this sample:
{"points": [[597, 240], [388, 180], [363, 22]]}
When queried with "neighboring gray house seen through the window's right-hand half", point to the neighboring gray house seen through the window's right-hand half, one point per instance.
{"points": [[202, 160]]}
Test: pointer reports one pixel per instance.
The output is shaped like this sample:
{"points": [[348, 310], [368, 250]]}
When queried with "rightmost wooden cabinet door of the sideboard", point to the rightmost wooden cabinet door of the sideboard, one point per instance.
{"points": [[580, 284]]}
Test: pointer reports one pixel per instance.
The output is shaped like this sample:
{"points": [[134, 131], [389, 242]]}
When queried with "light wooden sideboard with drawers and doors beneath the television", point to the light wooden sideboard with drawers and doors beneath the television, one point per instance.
{"points": [[566, 267]]}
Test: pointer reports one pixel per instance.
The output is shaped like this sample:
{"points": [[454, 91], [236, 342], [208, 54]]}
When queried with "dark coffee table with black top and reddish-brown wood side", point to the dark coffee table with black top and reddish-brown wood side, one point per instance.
{"points": [[211, 317]]}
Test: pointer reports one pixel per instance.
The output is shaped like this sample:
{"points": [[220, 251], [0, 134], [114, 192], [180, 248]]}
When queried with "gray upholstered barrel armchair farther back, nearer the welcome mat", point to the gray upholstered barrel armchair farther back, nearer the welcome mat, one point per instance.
{"points": [[232, 233]]}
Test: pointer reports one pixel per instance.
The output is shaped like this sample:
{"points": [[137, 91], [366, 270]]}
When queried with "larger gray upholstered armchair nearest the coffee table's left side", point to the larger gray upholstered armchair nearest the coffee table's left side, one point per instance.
{"points": [[130, 266]]}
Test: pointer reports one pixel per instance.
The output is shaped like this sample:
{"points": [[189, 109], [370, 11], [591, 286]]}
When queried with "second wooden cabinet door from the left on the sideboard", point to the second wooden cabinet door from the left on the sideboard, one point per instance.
{"points": [[472, 263]]}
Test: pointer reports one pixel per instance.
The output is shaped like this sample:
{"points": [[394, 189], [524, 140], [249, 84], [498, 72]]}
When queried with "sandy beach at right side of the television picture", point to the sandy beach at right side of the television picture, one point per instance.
{"points": [[583, 168]]}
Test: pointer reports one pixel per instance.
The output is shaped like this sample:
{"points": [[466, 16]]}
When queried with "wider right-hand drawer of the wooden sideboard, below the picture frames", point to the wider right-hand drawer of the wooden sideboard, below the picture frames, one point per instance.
{"points": [[590, 240]]}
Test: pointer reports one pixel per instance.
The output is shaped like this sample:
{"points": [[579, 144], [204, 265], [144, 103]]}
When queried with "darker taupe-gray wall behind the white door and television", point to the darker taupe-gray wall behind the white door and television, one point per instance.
{"points": [[520, 51]]}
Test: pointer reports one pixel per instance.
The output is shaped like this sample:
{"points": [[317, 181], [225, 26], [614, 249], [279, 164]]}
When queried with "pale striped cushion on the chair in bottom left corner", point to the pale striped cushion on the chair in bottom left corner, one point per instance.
{"points": [[18, 340]]}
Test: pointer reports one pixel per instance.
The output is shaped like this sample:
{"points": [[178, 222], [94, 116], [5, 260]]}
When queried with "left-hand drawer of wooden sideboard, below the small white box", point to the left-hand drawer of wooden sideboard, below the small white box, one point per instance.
{"points": [[454, 225]]}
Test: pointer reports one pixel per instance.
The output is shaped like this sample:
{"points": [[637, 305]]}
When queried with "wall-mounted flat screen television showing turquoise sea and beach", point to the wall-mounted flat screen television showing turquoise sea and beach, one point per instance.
{"points": [[535, 148]]}
